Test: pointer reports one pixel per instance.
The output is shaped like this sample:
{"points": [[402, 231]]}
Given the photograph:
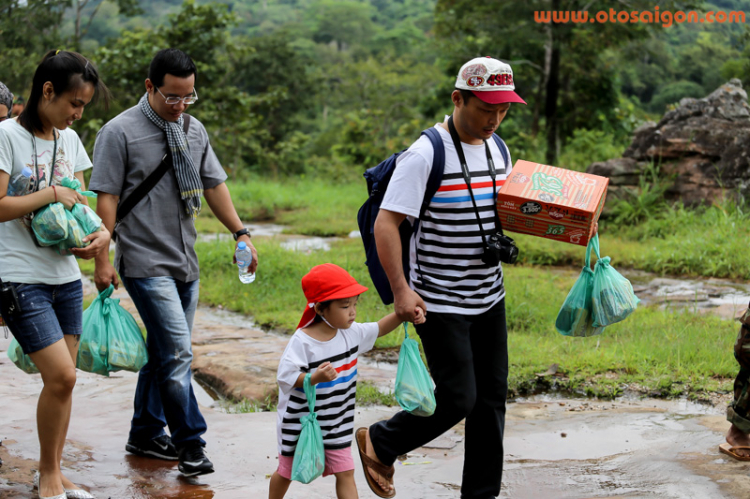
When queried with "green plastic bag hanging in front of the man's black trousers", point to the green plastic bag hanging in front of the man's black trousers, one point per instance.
{"points": [[414, 391]]}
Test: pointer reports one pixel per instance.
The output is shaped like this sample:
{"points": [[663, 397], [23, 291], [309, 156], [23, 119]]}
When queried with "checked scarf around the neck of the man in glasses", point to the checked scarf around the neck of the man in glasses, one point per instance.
{"points": [[188, 181]]}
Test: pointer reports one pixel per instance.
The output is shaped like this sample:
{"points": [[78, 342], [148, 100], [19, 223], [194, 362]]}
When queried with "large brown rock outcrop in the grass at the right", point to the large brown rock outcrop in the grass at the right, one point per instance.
{"points": [[703, 145]]}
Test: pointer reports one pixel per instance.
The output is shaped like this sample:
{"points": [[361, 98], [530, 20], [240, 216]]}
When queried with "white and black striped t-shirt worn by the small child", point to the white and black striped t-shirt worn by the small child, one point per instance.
{"points": [[334, 400]]}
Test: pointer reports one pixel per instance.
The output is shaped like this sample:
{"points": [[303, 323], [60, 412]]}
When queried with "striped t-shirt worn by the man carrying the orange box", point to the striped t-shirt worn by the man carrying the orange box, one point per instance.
{"points": [[448, 246]]}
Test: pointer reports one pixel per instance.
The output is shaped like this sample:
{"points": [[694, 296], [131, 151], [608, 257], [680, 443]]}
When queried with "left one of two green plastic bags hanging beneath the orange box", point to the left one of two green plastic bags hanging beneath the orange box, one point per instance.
{"points": [[576, 316]]}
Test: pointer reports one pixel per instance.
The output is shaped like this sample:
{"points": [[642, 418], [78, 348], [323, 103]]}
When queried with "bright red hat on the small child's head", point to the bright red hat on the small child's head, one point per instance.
{"points": [[326, 282]]}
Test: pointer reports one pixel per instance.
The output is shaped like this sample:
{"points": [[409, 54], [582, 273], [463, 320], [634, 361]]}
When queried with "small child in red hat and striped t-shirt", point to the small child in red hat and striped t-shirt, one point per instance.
{"points": [[327, 343]]}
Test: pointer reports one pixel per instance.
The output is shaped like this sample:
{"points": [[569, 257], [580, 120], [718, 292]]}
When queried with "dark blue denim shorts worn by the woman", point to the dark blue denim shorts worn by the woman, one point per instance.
{"points": [[47, 313]]}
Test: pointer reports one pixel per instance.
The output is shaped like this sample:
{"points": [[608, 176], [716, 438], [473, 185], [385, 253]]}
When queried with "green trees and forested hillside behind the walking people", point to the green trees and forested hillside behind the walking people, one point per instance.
{"points": [[330, 87]]}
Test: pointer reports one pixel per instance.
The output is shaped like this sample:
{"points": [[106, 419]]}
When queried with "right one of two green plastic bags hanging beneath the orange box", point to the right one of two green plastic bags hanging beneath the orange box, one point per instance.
{"points": [[612, 298]]}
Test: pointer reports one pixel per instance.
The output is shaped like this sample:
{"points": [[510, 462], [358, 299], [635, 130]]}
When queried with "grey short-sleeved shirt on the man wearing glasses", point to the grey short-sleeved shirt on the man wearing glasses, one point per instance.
{"points": [[157, 237]]}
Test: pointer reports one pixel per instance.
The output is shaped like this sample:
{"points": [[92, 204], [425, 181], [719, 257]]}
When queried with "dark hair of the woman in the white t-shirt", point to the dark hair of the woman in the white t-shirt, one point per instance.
{"points": [[65, 70]]}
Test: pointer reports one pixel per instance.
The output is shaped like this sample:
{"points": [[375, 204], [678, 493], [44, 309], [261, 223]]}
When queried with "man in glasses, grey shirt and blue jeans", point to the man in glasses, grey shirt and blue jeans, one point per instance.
{"points": [[152, 220]]}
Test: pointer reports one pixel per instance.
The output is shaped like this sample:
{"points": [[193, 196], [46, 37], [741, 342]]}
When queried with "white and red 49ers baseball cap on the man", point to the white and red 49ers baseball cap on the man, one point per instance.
{"points": [[489, 79]]}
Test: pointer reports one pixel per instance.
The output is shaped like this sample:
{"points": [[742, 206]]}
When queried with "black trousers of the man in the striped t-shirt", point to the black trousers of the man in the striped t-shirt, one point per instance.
{"points": [[468, 360]]}
